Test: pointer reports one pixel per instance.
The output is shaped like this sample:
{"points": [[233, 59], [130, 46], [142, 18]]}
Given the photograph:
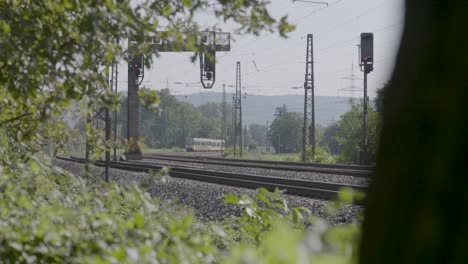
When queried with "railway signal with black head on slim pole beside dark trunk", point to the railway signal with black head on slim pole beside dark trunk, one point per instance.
{"points": [[366, 60]]}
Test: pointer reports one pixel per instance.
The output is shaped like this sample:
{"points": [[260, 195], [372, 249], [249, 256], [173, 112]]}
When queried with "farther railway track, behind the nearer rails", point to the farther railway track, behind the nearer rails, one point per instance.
{"points": [[341, 169]]}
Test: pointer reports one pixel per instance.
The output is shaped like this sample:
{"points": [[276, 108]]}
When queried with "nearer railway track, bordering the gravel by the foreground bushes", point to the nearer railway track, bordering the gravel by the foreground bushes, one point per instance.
{"points": [[320, 190]]}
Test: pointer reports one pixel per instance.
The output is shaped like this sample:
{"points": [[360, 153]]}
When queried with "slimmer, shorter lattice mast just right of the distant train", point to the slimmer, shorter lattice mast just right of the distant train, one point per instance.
{"points": [[238, 112]]}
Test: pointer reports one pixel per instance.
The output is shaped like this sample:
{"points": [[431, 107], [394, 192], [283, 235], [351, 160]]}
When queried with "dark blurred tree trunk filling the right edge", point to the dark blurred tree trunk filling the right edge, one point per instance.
{"points": [[416, 211]]}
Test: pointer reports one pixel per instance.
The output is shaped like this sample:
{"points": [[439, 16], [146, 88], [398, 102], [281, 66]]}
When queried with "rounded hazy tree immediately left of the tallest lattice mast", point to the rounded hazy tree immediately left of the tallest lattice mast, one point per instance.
{"points": [[286, 131]]}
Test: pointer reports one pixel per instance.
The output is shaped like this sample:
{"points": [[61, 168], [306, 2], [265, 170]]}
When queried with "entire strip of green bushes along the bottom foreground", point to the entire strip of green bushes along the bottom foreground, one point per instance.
{"points": [[50, 216]]}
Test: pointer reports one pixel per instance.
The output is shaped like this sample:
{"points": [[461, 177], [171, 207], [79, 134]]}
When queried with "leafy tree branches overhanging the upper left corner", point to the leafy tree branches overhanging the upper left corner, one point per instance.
{"points": [[42, 73]]}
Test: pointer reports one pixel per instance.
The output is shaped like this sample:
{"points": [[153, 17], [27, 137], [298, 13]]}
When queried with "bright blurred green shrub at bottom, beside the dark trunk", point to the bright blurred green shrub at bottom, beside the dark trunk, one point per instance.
{"points": [[269, 231]]}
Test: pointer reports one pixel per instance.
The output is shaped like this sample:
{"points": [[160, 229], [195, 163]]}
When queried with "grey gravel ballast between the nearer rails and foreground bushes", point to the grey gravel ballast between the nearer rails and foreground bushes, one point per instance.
{"points": [[206, 199]]}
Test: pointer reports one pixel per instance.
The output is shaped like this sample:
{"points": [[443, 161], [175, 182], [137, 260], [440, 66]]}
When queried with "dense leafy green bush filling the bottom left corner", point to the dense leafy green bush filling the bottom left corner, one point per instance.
{"points": [[51, 216]]}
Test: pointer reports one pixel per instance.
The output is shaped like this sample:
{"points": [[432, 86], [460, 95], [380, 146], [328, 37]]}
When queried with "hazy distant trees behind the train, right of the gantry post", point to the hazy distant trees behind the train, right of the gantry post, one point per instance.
{"points": [[174, 121]]}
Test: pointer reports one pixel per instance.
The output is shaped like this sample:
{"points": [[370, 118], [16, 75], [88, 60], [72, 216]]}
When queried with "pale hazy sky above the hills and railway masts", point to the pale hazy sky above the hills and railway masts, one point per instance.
{"points": [[271, 65]]}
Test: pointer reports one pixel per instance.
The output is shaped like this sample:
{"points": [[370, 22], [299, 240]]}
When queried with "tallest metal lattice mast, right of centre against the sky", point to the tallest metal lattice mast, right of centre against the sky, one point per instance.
{"points": [[308, 130]]}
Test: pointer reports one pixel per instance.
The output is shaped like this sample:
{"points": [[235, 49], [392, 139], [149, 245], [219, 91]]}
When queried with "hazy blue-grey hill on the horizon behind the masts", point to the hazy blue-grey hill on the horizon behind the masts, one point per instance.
{"points": [[260, 109]]}
